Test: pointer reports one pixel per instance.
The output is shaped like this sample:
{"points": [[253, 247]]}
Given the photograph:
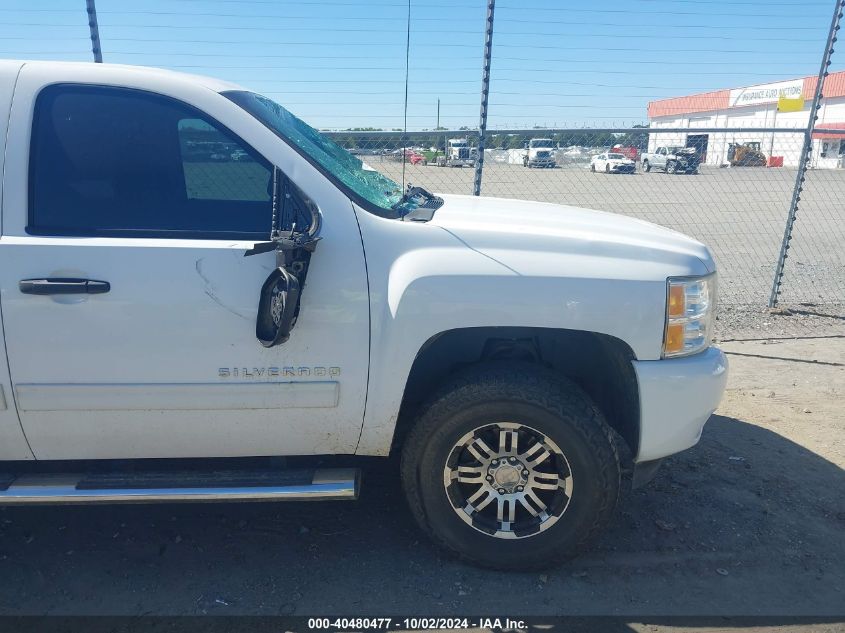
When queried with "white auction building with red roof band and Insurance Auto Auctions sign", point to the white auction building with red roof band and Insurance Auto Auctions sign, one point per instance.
{"points": [[756, 107]]}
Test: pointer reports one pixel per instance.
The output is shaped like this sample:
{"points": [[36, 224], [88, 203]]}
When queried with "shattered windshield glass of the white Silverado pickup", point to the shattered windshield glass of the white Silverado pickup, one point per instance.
{"points": [[350, 171]]}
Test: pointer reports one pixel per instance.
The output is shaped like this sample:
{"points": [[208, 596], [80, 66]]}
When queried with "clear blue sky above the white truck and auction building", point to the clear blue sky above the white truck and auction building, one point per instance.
{"points": [[341, 63]]}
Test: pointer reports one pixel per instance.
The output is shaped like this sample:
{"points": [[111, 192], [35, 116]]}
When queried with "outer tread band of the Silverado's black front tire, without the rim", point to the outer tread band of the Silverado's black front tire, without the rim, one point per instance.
{"points": [[531, 384]]}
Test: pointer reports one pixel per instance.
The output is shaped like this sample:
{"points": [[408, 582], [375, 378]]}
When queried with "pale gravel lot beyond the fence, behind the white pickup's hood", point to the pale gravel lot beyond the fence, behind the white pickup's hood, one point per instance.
{"points": [[740, 213]]}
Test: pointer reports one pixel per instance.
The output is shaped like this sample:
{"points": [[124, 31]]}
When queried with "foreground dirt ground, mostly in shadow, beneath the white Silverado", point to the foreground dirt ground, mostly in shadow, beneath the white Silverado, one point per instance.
{"points": [[749, 522]]}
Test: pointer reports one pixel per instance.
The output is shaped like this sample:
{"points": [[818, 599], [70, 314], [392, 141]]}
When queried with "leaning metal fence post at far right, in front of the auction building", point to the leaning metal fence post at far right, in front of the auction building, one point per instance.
{"points": [[805, 152]]}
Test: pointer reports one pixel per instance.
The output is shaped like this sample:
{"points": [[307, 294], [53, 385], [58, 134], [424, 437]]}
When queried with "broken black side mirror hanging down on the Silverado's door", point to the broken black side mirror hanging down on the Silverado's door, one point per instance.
{"points": [[293, 236]]}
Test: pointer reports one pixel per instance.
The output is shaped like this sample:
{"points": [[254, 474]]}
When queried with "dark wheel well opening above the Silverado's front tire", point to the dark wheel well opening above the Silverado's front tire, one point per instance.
{"points": [[599, 363]]}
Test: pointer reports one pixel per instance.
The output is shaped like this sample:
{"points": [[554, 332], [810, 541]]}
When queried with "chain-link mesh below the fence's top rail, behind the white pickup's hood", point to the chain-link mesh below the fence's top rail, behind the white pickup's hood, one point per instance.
{"points": [[716, 185]]}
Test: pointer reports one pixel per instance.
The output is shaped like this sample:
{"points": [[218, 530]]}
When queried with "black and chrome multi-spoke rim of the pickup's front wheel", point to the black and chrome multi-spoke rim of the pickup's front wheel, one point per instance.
{"points": [[508, 480]]}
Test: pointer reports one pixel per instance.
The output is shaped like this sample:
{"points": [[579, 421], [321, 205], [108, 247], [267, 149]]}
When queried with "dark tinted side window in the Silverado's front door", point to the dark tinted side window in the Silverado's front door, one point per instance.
{"points": [[114, 161]]}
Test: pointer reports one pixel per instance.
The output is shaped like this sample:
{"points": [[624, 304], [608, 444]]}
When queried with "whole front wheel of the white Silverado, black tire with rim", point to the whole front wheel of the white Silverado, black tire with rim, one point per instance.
{"points": [[511, 466]]}
